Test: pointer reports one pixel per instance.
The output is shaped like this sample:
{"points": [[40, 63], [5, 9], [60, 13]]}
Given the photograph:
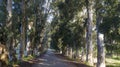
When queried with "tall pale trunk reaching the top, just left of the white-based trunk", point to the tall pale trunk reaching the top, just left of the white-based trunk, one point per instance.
{"points": [[89, 55]]}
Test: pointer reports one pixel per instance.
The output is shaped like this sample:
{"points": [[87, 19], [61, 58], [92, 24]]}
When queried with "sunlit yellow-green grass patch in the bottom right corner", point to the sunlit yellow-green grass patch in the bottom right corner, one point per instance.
{"points": [[113, 62]]}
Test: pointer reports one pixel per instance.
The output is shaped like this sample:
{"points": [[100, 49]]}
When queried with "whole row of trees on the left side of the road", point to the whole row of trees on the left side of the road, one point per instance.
{"points": [[22, 27]]}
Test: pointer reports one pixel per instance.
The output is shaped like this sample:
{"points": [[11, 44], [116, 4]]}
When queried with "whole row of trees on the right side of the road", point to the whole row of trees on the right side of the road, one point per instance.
{"points": [[68, 29]]}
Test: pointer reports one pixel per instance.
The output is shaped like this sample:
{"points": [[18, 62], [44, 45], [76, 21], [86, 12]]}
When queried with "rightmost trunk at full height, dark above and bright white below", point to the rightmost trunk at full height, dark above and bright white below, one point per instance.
{"points": [[100, 36]]}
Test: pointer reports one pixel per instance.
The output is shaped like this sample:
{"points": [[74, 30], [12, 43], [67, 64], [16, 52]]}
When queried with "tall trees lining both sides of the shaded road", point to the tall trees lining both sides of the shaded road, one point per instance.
{"points": [[80, 29]]}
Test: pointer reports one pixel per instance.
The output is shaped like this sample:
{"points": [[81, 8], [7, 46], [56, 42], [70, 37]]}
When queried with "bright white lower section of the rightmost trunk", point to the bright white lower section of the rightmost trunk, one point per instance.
{"points": [[101, 51]]}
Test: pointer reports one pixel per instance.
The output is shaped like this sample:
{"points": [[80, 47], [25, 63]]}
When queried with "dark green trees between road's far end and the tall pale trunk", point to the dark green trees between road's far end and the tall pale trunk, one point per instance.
{"points": [[65, 27]]}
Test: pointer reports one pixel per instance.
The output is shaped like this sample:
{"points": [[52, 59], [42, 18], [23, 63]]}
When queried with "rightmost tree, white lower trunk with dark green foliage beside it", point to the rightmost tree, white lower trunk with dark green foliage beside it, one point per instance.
{"points": [[107, 13]]}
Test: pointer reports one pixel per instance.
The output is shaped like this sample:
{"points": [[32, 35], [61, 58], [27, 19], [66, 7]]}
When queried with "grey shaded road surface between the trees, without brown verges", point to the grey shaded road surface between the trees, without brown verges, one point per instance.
{"points": [[49, 59]]}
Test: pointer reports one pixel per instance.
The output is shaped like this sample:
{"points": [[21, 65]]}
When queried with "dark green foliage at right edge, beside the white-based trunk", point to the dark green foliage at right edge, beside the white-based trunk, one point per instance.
{"points": [[111, 25]]}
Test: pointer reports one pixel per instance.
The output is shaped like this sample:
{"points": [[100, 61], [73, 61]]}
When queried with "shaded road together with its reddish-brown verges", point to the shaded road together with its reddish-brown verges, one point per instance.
{"points": [[50, 59]]}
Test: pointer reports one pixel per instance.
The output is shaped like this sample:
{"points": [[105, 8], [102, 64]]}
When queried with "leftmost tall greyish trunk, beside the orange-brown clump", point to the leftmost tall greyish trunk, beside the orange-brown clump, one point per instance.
{"points": [[9, 26]]}
